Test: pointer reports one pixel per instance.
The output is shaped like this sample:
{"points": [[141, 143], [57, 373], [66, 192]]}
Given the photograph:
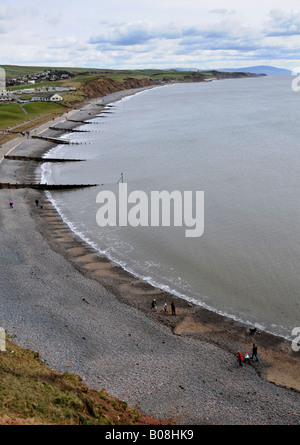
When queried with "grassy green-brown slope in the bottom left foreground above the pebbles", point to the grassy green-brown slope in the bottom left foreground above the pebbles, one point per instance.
{"points": [[31, 393]]}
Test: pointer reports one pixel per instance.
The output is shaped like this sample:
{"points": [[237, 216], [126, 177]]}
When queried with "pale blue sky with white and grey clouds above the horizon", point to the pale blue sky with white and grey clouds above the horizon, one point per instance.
{"points": [[203, 34]]}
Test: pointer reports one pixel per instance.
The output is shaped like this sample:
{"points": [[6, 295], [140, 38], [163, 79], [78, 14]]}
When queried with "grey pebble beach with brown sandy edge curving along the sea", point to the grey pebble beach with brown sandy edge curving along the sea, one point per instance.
{"points": [[86, 315]]}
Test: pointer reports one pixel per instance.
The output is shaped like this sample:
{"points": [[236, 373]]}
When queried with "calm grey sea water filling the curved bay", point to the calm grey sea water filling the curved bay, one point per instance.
{"points": [[236, 140]]}
